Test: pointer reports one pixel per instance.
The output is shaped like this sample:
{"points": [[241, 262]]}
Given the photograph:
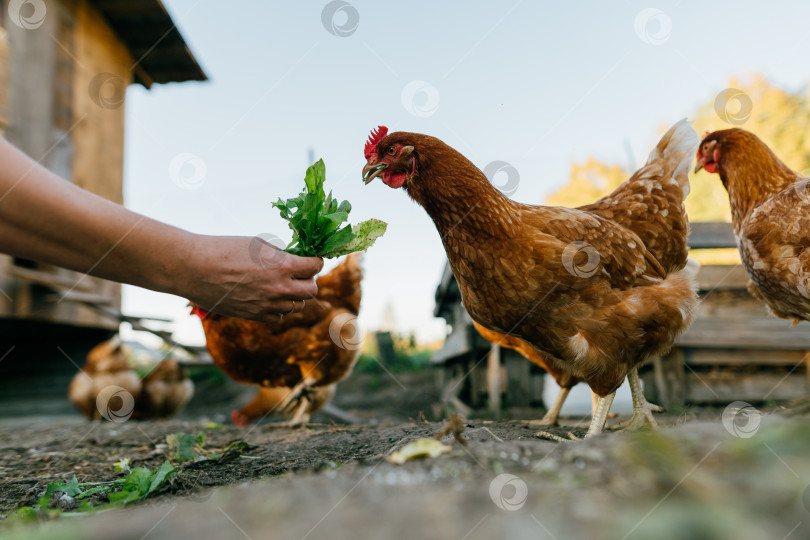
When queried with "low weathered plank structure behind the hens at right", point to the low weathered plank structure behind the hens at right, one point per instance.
{"points": [[735, 350]]}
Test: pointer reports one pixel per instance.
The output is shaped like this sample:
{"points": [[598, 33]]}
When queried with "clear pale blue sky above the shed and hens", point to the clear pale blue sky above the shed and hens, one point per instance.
{"points": [[535, 84]]}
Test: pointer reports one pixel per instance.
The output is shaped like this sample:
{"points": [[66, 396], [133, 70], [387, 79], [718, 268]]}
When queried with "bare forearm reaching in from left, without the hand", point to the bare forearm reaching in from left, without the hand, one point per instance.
{"points": [[45, 218]]}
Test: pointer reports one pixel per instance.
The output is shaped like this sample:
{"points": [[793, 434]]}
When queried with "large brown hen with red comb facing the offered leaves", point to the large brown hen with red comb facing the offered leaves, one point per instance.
{"points": [[608, 300]]}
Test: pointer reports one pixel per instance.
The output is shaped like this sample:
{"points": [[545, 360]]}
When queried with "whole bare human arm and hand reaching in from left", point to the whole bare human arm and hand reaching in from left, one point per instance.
{"points": [[45, 218]]}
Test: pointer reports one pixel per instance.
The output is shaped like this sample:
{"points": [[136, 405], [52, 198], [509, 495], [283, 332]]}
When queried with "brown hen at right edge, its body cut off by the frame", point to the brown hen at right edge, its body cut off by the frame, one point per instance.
{"points": [[770, 213]]}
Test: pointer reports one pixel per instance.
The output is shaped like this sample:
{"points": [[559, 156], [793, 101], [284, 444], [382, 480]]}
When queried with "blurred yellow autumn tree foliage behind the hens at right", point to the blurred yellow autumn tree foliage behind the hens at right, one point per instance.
{"points": [[779, 117]]}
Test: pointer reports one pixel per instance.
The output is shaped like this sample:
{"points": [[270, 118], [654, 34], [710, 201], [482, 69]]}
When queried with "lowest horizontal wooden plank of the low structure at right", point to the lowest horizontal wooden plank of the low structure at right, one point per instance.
{"points": [[724, 387]]}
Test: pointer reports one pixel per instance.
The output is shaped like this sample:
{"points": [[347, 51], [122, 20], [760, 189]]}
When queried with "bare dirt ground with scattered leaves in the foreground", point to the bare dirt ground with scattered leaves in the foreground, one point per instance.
{"points": [[693, 478]]}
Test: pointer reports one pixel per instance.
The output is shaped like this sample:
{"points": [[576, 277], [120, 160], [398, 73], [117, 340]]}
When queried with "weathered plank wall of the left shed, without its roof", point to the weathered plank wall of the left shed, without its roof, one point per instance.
{"points": [[67, 84]]}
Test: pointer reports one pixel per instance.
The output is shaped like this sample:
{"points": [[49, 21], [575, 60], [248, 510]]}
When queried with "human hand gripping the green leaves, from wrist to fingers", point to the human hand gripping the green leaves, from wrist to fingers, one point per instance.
{"points": [[248, 278]]}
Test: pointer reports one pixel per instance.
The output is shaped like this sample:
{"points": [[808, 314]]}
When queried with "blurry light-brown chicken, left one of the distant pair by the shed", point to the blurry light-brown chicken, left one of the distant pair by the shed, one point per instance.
{"points": [[107, 366]]}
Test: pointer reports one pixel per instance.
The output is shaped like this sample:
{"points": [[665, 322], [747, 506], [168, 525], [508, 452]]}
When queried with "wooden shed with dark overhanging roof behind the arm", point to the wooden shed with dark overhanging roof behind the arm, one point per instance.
{"points": [[65, 66]]}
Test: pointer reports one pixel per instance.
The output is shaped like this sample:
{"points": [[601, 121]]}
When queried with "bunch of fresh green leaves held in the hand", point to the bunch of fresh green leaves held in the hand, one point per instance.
{"points": [[317, 221]]}
